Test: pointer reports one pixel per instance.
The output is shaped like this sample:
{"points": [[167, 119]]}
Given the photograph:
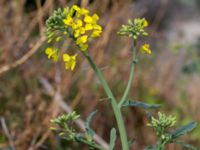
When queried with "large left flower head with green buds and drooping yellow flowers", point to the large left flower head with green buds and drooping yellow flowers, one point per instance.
{"points": [[79, 25]]}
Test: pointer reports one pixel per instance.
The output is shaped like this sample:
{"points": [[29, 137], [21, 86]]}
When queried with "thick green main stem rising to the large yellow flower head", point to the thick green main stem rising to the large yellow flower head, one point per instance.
{"points": [[116, 109]]}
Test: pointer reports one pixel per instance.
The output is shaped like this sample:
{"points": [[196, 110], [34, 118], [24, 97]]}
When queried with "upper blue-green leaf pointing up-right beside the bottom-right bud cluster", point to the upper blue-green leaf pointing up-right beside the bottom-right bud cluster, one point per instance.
{"points": [[183, 130]]}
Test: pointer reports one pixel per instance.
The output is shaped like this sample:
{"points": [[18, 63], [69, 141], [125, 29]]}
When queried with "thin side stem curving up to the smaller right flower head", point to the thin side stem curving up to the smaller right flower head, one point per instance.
{"points": [[128, 87]]}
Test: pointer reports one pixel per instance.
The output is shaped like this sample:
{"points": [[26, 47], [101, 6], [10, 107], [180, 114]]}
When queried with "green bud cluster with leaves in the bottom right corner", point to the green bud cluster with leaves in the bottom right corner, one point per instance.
{"points": [[161, 127]]}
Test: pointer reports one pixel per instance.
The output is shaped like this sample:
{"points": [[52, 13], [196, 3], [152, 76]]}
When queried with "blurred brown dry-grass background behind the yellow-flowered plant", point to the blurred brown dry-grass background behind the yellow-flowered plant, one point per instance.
{"points": [[34, 90]]}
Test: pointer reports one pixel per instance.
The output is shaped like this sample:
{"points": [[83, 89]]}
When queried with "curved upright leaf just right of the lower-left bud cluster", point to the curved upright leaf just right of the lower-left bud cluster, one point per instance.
{"points": [[87, 123]]}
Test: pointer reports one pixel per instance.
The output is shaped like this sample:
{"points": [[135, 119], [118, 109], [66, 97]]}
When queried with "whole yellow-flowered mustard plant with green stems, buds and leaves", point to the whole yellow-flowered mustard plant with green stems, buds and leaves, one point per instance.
{"points": [[77, 24]]}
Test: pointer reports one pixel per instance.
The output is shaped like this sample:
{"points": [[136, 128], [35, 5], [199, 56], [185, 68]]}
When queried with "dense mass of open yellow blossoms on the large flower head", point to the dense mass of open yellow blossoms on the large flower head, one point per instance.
{"points": [[82, 25]]}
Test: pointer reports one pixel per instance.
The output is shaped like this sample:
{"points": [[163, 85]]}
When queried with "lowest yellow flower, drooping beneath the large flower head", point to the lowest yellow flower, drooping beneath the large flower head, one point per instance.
{"points": [[70, 61]]}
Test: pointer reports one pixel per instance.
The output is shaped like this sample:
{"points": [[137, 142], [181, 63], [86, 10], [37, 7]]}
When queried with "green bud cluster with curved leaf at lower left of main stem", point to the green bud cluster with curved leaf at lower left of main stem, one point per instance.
{"points": [[65, 129]]}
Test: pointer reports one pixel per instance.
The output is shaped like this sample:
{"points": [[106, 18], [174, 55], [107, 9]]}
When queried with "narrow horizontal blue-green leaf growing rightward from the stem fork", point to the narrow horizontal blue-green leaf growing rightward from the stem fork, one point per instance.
{"points": [[140, 104]]}
